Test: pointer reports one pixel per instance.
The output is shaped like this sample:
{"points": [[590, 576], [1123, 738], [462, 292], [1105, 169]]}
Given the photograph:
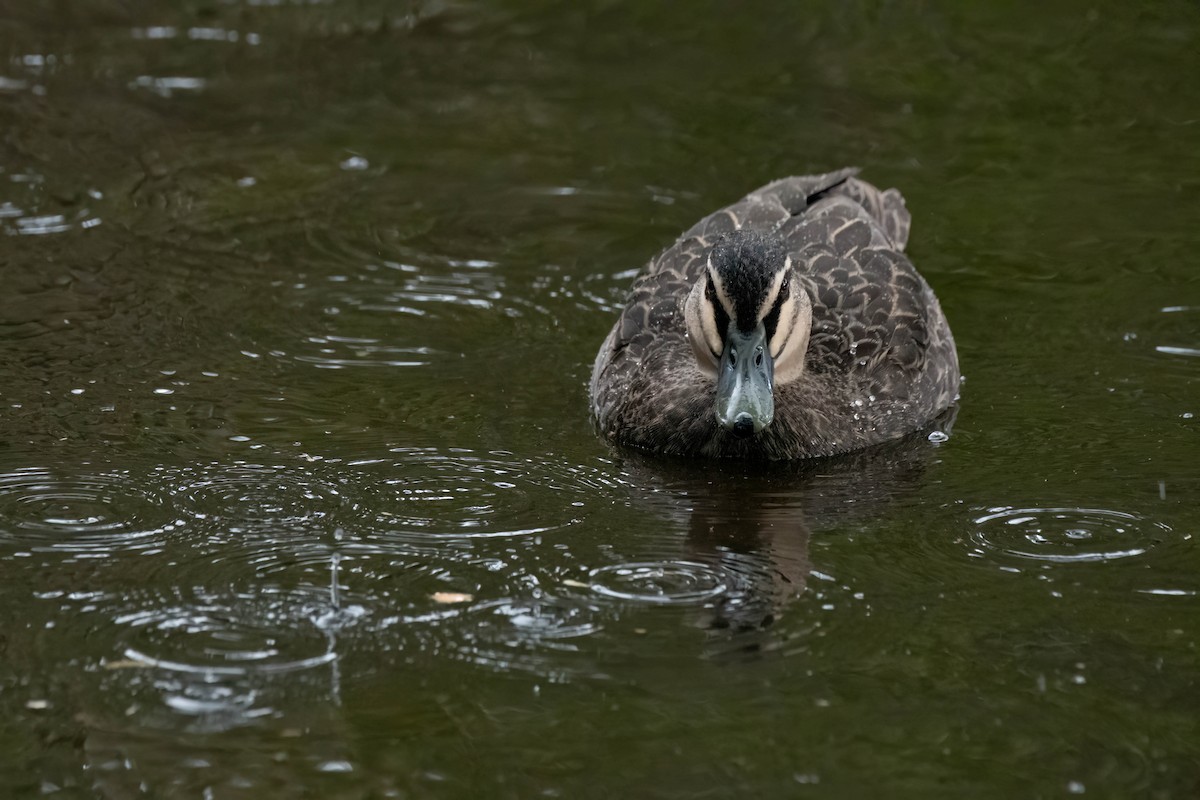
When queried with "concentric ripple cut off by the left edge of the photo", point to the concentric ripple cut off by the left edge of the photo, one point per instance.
{"points": [[88, 515]]}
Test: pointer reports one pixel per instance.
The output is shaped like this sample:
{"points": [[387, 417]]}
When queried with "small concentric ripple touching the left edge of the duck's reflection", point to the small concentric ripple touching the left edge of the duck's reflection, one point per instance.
{"points": [[659, 582]]}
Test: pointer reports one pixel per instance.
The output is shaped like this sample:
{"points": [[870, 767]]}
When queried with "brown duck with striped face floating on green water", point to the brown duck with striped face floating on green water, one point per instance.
{"points": [[788, 326]]}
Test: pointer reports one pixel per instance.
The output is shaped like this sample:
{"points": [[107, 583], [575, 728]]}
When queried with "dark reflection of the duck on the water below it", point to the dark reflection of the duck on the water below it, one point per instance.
{"points": [[754, 521]]}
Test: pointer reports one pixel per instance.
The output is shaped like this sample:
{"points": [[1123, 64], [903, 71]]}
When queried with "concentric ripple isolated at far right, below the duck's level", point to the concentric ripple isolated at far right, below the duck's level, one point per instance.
{"points": [[1054, 537]]}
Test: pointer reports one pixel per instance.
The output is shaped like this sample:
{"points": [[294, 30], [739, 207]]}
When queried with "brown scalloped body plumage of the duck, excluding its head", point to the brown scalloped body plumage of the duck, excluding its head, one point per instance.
{"points": [[880, 364]]}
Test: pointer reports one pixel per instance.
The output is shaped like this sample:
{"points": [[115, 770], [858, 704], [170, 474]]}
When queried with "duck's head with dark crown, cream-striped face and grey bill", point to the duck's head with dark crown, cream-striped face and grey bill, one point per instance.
{"points": [[749, 321]]}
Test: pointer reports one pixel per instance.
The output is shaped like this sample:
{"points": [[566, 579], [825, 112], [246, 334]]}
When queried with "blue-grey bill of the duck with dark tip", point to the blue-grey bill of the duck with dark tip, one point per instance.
{"points": [[746, 402]]}
